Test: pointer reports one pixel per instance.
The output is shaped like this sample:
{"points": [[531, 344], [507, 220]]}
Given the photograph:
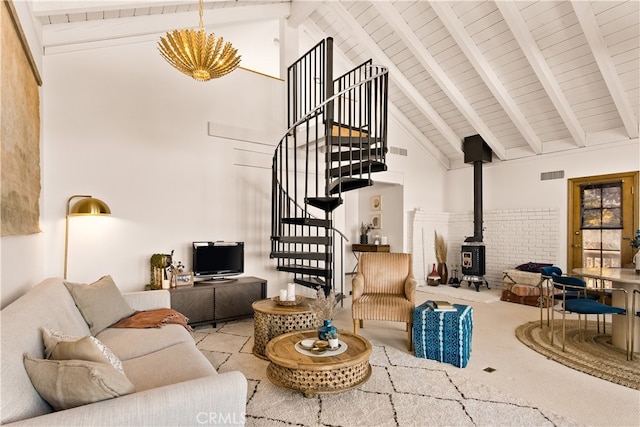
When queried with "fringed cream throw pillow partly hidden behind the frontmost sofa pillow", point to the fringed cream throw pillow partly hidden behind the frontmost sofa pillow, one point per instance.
{"points": [[59, 346]]}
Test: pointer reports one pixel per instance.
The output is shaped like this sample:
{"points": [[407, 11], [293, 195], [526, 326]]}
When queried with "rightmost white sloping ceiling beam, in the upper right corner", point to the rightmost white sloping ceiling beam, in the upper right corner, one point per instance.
{"points": [[608, 70]]}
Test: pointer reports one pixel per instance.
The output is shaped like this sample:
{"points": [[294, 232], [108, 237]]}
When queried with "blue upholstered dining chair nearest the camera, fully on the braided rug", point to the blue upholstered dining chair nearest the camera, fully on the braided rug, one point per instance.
{"points": [[576, 299]]}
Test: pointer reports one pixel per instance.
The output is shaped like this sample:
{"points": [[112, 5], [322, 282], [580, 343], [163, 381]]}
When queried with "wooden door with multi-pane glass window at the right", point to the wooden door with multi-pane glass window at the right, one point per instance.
{"points": [[603, 218]]}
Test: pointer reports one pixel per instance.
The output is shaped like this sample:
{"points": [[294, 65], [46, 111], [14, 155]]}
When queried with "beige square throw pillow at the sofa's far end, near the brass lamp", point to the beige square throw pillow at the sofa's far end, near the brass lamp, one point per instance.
{"points": [[100, 303]]}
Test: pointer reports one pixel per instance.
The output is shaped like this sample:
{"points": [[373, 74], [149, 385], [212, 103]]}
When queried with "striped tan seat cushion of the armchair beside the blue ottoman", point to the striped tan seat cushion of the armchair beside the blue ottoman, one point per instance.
{"points": [[391, 307]]}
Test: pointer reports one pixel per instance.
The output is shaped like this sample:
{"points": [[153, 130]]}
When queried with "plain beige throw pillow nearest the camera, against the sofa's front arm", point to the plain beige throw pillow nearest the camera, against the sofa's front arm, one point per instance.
{"points": [[66, 384]]}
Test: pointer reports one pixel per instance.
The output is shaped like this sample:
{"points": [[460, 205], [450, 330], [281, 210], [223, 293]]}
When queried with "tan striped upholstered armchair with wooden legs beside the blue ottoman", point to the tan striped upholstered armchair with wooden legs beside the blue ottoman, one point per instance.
{"points": [[384, 289]]}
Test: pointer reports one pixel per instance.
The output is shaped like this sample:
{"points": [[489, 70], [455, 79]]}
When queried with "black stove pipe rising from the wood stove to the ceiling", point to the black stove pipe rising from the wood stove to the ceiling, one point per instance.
{"points": [[476, 151]]}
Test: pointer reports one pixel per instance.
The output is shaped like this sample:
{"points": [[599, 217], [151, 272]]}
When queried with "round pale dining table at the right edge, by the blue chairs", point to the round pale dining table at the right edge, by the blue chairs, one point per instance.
{"points": [[625, 278]]}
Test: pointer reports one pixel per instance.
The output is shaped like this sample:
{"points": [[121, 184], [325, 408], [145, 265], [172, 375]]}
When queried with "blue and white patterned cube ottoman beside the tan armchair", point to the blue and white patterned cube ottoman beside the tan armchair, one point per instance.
{"points": [[444, 336]]}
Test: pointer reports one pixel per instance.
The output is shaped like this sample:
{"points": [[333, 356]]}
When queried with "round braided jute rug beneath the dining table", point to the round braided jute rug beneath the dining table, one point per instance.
{"points": [[592, 353]]}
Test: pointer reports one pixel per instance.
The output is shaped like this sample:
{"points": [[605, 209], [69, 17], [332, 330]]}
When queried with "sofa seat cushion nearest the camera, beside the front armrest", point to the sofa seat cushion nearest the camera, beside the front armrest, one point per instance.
{"points": [[174, 364]]}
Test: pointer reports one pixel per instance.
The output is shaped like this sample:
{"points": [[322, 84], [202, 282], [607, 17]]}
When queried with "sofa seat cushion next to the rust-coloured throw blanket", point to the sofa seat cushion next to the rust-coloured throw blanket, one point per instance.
{"points": [[128, 343]]}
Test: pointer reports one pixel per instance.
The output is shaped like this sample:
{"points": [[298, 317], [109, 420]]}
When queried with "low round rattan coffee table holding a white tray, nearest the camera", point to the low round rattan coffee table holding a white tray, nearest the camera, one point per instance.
{"points": [[316, 374]]}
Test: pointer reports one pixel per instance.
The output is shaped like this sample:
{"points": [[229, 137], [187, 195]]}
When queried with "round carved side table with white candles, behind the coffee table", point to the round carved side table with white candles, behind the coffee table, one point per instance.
{"points": [[271, 320]]}
